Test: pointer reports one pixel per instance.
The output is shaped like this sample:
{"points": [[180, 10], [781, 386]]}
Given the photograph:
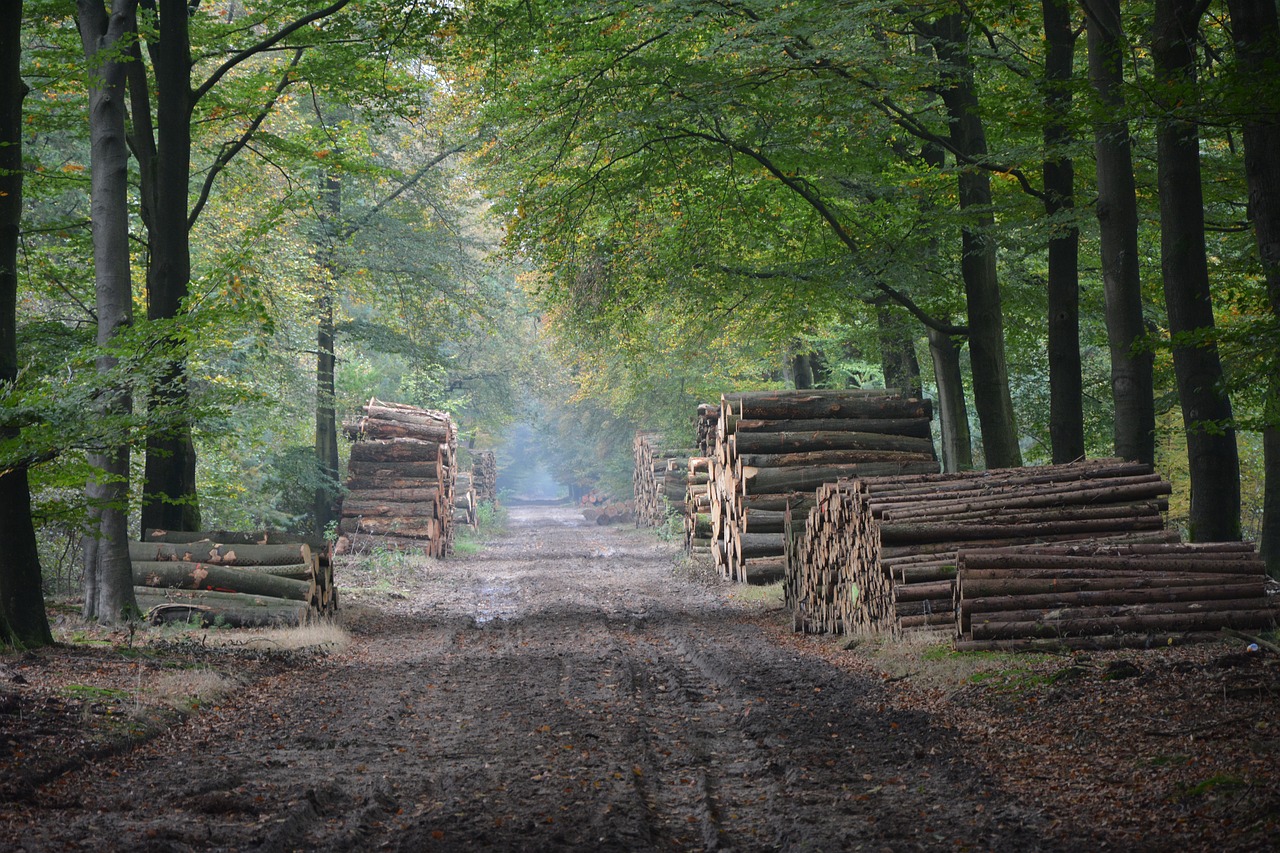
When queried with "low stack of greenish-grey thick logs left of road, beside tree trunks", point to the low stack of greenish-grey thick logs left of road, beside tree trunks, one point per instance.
{"points": [[235, 580]]}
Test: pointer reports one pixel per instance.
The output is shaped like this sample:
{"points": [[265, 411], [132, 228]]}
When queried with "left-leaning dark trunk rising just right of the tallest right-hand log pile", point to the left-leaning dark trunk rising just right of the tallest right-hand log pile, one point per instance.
{"points": [[979, 250]]}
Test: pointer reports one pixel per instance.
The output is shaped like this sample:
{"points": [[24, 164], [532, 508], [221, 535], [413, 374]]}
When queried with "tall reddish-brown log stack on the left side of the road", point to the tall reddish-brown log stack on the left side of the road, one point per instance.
{"points": [[400, 481]]}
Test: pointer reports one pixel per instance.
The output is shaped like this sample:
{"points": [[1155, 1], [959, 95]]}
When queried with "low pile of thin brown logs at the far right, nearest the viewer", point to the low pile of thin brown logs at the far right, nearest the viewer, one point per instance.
{"points": [[1109, 596]]}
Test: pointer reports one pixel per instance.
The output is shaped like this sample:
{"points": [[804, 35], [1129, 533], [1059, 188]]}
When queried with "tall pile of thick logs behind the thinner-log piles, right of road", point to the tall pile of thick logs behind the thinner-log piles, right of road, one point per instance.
{"points": [[775, 448]]}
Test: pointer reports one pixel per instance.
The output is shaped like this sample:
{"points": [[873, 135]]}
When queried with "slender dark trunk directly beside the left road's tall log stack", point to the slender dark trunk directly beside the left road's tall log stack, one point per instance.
{"points": [[327, 416]]}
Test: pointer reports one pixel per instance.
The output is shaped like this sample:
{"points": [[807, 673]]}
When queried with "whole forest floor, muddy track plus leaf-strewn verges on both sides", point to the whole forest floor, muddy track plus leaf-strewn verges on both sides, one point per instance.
{"points": [[583, 688]]}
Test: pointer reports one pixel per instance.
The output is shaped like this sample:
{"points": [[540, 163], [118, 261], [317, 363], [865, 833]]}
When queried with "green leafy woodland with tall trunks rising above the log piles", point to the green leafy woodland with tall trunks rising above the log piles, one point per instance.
{"points": [[228, 225]]}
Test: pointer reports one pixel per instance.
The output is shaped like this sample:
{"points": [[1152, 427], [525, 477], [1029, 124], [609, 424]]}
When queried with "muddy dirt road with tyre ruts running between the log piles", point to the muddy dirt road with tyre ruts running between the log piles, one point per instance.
{"points": [[568, 688]]}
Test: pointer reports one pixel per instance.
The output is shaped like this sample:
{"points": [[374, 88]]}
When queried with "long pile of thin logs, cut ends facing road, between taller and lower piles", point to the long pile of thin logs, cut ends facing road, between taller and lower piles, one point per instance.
{"points": [[880, 554]]}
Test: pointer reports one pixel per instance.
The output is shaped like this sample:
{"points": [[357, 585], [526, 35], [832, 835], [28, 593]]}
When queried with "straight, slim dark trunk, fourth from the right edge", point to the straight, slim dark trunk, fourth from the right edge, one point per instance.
{"points": [[1066, 407]]}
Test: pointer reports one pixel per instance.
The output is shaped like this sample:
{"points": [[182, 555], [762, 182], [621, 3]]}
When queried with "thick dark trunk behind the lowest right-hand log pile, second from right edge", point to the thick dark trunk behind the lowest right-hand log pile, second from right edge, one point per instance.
{"points": [[1215, 469]]}
